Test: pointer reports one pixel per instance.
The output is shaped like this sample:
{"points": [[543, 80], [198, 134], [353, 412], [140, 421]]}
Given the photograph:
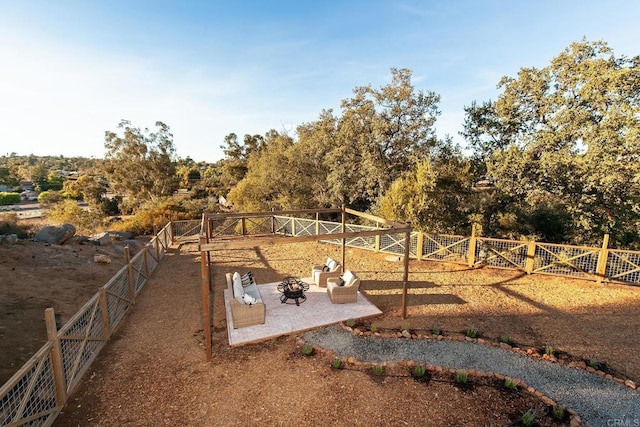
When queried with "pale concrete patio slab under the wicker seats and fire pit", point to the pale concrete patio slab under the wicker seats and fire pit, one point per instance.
{"points": [[283, 319]]}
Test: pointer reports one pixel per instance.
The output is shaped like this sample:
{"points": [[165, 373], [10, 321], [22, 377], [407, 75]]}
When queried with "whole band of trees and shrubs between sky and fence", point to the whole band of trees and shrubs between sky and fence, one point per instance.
{"points": [[555, 157]]}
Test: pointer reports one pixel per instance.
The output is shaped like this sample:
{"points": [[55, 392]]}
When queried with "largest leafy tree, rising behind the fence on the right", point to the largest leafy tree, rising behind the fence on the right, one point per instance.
{"points": [[569, 133]]}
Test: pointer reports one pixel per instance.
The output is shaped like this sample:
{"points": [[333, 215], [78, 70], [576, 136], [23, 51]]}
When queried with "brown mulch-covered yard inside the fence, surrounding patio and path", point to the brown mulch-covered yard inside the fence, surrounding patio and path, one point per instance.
{"points": [[153, 372]]}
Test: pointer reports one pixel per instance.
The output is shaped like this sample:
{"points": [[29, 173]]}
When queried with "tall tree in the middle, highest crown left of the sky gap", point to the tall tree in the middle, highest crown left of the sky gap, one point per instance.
{"points": [[379, 135]]}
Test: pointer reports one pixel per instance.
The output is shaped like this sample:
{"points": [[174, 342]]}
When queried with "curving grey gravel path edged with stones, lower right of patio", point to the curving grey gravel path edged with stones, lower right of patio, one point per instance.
{"points": [[598, 401]]}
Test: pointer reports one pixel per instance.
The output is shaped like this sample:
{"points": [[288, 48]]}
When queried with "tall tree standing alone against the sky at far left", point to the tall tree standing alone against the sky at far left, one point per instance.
{"points": [[139, 164]]}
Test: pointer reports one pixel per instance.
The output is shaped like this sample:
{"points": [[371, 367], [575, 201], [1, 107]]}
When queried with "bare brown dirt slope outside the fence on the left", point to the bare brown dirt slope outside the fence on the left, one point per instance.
{"points": [[35, 276]]}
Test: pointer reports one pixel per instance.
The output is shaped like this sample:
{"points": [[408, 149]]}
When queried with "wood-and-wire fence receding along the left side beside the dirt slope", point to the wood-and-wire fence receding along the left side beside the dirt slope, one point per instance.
{"points": [[32, 396]]}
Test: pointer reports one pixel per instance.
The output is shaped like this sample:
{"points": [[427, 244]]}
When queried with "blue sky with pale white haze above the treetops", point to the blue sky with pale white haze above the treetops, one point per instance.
{"points": [[71, 70]]}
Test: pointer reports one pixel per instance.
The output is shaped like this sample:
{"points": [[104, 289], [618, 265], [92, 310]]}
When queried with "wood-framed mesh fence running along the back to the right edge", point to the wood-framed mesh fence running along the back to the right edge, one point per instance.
{"points": [[533, 257]]}
